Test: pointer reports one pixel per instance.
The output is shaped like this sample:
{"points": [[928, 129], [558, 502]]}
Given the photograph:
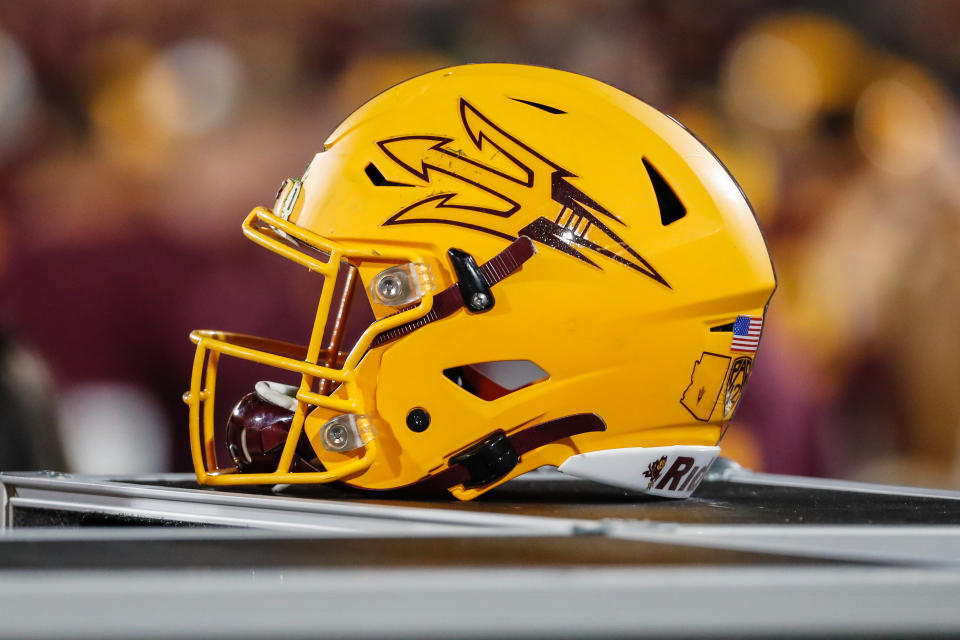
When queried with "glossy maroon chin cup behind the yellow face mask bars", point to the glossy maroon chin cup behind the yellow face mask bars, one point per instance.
{"points": [[256, 433]]}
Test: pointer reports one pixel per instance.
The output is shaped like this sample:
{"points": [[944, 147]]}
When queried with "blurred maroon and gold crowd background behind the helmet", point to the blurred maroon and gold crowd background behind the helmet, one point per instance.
{"points": [[134, 137]]}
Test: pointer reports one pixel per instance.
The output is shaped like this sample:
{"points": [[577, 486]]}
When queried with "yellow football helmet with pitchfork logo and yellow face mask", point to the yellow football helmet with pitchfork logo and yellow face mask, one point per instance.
{"points": [[542, 271]]}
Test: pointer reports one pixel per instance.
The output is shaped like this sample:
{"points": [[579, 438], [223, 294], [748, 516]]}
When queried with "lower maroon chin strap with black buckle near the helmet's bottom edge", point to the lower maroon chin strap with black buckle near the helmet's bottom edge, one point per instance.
{"points": [[498, 454]]}
